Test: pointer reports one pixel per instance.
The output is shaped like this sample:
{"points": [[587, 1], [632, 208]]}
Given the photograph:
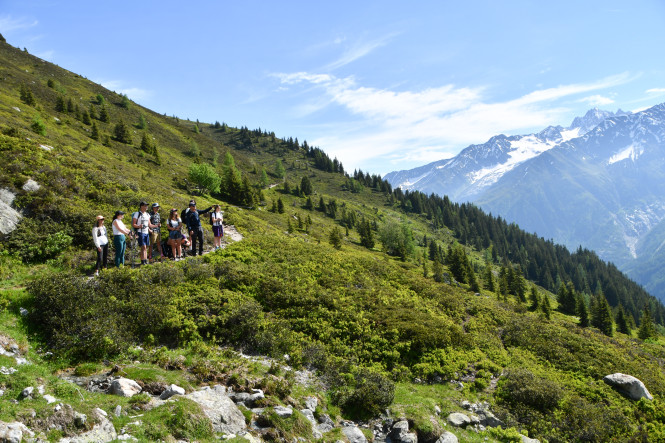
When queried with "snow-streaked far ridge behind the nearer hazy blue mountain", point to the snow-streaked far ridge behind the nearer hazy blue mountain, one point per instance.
{"points": [[464, 177]]}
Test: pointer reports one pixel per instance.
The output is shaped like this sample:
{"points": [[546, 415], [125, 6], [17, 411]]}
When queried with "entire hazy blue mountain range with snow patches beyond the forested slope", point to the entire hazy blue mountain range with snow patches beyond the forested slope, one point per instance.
{"points": [[598, 184]]}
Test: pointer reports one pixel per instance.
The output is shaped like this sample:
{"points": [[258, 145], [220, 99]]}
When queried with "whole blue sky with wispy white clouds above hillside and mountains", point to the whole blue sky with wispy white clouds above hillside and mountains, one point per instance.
{"points": [[381, 85]]}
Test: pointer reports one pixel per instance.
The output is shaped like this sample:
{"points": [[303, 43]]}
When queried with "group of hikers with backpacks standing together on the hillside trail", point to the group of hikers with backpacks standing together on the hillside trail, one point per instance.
{"points": [[146, 230]]}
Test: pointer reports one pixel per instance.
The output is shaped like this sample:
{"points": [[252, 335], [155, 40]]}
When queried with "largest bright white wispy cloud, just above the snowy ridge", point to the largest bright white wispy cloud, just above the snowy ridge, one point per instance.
{"points": [[430, 124]]}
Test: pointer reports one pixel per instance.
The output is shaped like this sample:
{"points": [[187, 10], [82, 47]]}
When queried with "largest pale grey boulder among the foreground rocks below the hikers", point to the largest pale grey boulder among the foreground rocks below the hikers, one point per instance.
{"points": [[224, 414]]}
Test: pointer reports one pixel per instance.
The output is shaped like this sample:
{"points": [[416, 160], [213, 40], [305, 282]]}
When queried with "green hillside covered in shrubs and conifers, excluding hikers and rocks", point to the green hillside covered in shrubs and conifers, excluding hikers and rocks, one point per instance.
{"points": [[388, 296]]}
